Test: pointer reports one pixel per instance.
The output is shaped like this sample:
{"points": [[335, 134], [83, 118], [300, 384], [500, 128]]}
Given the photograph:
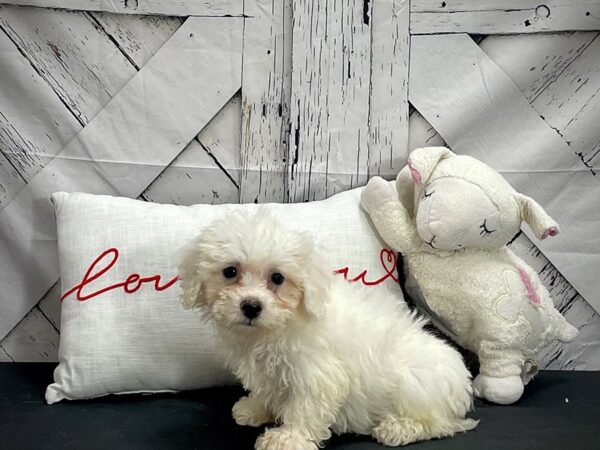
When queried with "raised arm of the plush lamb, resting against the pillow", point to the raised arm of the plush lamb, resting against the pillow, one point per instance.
{"points": [[380, 200]]}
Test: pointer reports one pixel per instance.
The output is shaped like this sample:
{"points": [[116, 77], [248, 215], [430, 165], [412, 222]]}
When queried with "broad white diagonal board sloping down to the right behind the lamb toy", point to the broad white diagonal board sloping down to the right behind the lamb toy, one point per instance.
{"points": [[504, 131]]}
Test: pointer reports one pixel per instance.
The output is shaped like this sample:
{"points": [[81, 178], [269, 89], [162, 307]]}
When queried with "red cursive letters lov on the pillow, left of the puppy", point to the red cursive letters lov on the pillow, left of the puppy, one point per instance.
{"points": [[133, 282]]}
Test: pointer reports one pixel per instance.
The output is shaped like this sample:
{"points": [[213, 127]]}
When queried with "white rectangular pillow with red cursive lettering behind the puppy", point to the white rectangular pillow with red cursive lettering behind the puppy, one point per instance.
{"points": [[123, 329]]}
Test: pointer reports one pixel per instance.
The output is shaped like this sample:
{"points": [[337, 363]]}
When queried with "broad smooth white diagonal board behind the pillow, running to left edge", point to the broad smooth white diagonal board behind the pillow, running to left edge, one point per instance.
{"points": [[121, 150]]}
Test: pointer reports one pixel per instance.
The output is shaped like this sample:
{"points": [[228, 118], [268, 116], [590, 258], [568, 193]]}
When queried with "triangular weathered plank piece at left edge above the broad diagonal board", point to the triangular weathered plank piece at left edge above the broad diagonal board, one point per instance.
{"points": [[34, 123]]}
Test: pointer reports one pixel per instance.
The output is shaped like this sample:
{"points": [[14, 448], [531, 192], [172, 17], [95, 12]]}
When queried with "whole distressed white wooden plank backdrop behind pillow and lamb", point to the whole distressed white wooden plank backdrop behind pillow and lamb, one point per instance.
{"points": [[215, 101]]}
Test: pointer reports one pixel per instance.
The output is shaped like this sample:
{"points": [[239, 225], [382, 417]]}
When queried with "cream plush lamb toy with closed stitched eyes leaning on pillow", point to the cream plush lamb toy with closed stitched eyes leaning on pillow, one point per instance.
{"points": [[451, 217]]}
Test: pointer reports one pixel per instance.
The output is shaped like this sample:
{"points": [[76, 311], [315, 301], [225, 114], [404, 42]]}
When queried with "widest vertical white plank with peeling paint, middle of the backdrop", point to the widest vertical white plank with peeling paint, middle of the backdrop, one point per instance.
{"points": [[330, 97]]}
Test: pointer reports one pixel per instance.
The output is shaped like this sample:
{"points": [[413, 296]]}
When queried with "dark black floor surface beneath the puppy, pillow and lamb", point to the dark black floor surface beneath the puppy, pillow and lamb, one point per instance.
{"points": [[543, 419]]}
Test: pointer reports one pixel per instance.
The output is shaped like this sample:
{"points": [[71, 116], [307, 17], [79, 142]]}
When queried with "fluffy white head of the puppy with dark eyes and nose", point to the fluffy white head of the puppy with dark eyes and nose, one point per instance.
{"points": [[249, 273]]}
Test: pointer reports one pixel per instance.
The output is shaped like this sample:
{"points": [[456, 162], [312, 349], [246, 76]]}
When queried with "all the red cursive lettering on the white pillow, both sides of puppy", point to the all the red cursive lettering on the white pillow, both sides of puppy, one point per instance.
{"points": [[108, 258]]}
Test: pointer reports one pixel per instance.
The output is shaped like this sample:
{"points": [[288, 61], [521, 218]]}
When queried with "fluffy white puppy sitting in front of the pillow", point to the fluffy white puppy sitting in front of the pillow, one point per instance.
{"points": [[315, 352]]}
